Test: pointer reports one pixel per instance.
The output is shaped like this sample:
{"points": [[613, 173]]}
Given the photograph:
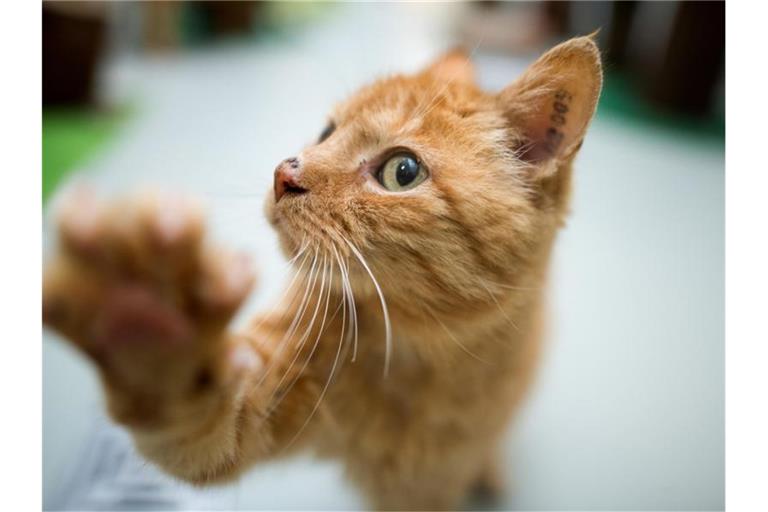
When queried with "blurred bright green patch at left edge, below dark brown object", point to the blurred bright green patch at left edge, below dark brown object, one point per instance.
{"points": [[70, 137]]}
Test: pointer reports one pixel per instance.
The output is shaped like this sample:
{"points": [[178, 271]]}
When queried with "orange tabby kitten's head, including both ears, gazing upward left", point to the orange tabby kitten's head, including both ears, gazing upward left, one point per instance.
{"points": [[445, 190]]}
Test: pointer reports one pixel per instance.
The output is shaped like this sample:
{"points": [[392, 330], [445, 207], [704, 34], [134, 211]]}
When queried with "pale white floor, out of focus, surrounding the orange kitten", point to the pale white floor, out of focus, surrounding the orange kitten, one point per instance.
{"points": [[629, 409]]}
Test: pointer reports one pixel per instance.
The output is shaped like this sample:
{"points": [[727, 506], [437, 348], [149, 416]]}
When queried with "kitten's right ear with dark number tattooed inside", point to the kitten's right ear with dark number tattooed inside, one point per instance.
{"points": [[552, 103]]}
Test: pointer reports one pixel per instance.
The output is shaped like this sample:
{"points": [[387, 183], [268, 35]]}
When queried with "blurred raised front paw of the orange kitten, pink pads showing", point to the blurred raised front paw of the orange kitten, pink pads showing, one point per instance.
{"points": [[134, 285]]}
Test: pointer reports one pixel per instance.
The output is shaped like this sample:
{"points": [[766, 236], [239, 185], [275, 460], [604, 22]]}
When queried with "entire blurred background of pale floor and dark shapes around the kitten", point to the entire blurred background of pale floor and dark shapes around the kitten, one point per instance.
{"points": [[207, 97]]}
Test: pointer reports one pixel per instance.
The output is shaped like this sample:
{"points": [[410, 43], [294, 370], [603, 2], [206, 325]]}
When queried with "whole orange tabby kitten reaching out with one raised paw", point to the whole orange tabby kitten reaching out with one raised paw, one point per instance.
{"points": [[420, 227]]}
